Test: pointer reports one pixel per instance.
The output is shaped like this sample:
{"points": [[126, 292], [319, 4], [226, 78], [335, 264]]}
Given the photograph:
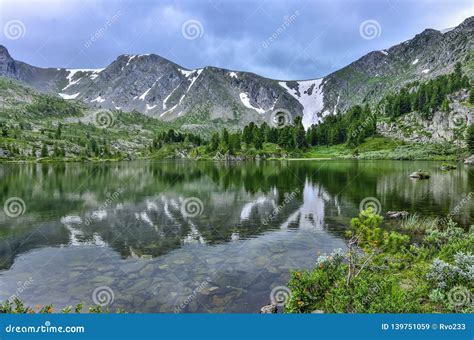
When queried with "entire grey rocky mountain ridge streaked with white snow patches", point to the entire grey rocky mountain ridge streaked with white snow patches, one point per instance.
{"points": [[160, 88]]}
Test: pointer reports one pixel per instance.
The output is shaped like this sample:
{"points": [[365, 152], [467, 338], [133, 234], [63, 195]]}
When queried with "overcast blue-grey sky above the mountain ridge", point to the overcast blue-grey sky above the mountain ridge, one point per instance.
{"points": [[282, 39]]}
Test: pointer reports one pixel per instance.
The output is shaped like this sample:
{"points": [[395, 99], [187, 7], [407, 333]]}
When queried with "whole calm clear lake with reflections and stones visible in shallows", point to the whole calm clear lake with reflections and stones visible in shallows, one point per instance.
{"points": [[197, 236]]}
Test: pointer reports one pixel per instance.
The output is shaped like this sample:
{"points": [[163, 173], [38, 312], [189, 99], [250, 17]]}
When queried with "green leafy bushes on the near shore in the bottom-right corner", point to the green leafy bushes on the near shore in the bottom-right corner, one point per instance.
{"points": [[385, 272]]}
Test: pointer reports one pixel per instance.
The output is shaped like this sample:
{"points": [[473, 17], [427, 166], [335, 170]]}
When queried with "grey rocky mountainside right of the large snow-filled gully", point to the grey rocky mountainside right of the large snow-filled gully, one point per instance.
{"points": [[427, 55]]}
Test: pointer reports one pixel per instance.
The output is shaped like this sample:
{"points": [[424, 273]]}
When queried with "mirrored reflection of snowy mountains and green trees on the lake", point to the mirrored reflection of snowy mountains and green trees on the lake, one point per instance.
{"points": [[136, 208]]}
